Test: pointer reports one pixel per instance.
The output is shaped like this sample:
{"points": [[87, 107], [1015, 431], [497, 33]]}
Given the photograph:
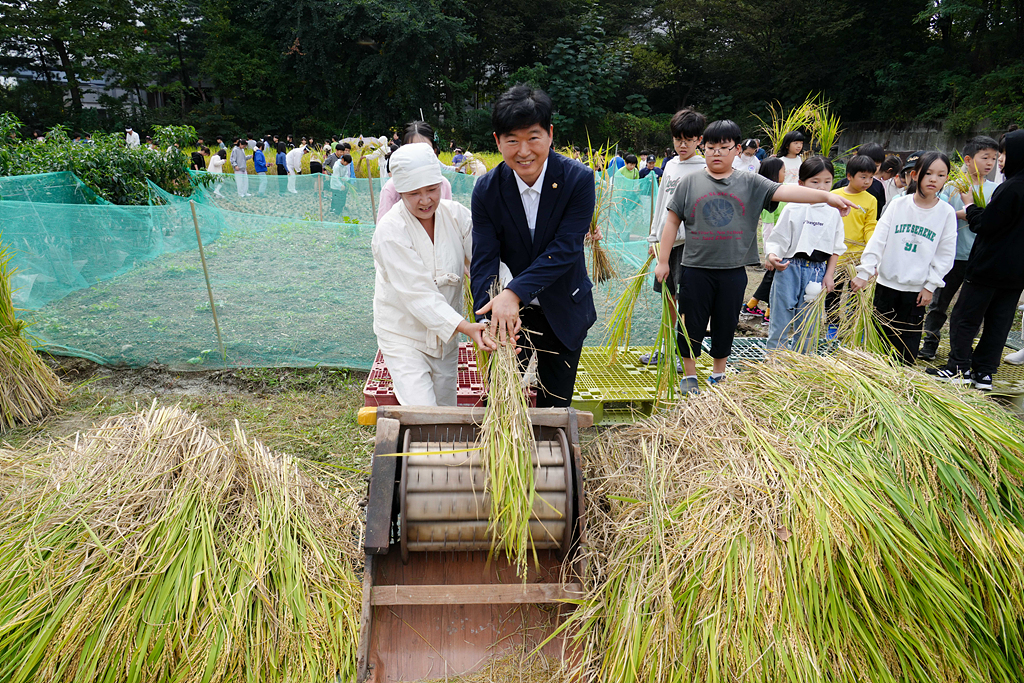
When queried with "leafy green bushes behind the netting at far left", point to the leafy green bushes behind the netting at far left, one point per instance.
{"points": [[113, 172]]}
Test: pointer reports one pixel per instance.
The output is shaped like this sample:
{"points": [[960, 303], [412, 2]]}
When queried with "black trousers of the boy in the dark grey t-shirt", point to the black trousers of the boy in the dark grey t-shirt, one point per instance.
{"points": [[715, 296]]}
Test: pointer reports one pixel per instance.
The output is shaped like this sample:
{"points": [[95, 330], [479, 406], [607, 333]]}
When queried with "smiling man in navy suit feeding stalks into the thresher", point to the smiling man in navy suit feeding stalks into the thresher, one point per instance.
{"points": [[533, 214]]}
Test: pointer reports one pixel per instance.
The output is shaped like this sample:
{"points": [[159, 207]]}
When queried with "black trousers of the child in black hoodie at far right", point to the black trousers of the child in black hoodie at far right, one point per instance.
{"points": [[977, 305]]}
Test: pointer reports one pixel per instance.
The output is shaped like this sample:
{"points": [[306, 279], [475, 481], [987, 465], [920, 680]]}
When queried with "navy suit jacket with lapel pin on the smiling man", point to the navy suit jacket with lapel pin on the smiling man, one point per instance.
{"points": [[551, 268]]}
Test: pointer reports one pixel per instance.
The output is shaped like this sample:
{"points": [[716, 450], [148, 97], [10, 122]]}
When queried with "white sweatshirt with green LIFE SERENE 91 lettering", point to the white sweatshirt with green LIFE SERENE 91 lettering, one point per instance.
{"points": [[913, 248]]}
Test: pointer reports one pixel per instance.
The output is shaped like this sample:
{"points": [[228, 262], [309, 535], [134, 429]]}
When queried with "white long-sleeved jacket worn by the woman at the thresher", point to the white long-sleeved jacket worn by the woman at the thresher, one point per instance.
{"points": [[418, 287]]}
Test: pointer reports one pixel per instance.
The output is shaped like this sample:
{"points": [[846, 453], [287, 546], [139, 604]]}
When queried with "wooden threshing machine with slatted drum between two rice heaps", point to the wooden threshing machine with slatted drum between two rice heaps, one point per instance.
{"points": [[436, 604]]}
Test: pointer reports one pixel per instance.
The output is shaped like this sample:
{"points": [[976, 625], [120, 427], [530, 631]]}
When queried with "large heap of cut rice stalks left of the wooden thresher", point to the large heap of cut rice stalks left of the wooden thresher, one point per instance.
{"points": [[151, 549]]}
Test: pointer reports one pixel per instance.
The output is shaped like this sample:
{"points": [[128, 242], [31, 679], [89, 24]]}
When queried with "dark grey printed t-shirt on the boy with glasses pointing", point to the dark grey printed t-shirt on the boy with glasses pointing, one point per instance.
{"points": [[721, 219]]}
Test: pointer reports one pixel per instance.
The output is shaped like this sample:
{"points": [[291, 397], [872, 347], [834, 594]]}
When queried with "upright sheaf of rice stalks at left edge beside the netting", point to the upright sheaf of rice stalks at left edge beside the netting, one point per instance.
{"points": [[29, 390]]}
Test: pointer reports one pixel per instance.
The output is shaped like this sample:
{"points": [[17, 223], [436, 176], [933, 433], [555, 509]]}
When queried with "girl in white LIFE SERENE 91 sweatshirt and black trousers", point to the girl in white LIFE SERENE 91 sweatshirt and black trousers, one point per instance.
{"points": [[912, 250]]}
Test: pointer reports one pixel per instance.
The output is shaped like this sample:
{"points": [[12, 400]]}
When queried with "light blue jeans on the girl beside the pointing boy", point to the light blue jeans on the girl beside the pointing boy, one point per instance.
{"points": [[788, 306]]}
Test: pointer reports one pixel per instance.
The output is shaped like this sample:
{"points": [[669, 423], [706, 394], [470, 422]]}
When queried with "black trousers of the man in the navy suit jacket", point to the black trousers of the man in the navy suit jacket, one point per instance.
{"points": [[557, 365]]}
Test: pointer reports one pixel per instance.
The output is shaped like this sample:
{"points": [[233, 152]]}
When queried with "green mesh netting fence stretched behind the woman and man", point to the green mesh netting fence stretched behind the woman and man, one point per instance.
{"points": [[124, 286]]}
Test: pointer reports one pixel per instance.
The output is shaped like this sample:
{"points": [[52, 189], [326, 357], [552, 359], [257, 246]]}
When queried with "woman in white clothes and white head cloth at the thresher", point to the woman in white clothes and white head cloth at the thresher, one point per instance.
{"points": [[421, 251]]}
